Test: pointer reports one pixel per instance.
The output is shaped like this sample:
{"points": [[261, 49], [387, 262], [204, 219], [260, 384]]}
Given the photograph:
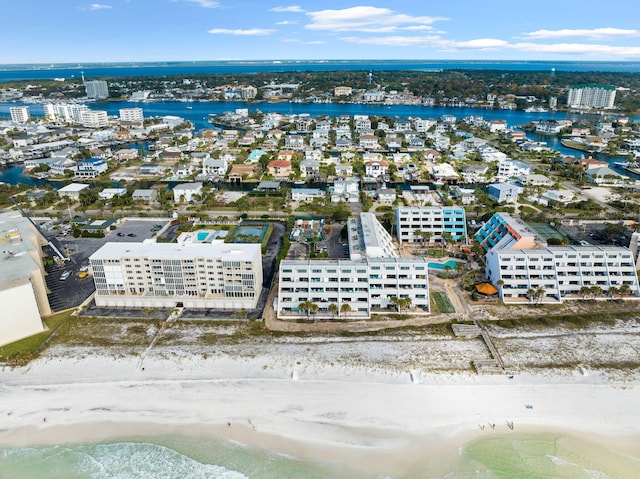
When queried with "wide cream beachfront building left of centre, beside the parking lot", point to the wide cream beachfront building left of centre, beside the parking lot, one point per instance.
{"points": [[165, 275]]}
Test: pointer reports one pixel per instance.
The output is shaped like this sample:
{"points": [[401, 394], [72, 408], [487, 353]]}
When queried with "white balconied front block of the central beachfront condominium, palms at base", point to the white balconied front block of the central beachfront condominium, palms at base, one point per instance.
{"points": [[367, 286]]}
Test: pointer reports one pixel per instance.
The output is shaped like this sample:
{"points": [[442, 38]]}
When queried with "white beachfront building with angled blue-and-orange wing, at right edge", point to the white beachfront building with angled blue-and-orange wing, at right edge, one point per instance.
{"points": [[524, 268]]}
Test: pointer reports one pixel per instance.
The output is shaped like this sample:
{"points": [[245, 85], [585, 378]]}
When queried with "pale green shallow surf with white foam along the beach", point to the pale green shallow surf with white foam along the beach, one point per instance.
{"points": [[506, 456]]}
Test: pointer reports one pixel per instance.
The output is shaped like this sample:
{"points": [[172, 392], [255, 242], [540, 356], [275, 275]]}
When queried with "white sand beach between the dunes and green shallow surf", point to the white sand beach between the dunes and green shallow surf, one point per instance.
{"points": [[303, 404]]}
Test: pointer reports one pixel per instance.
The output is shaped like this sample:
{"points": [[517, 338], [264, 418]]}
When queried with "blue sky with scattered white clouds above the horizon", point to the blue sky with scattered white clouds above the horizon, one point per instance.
{"points": [[56, 31]]}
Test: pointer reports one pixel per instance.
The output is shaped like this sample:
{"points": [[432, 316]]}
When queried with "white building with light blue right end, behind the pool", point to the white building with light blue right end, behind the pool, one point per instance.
{"points": [[414, 223]]}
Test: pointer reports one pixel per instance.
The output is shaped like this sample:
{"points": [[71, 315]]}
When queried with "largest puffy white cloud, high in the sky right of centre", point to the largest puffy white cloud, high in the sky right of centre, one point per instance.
{"points": [[365, 19]]}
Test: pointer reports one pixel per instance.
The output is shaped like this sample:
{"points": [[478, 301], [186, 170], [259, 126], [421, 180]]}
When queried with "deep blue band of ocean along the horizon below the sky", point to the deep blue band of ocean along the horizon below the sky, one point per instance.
{"points": [[132, 69]]}
